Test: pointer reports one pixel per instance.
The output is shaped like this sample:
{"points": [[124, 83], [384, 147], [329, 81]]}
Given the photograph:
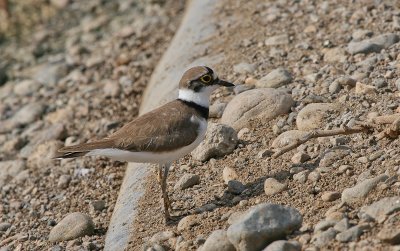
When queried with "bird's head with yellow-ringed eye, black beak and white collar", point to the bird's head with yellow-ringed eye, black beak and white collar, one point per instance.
{"points": [[198, 83]]}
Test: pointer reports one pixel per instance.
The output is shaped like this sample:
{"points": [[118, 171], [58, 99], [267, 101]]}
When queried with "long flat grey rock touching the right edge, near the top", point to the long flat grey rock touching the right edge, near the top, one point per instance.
{"points": [[375, 44]]}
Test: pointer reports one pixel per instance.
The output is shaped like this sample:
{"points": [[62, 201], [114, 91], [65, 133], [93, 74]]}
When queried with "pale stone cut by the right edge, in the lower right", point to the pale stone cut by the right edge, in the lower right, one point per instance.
{"points": [[380, 209]]}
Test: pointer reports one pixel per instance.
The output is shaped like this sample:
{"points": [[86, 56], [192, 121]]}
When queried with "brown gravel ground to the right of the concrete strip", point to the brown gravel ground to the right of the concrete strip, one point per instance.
{"points": [[315, 42]]}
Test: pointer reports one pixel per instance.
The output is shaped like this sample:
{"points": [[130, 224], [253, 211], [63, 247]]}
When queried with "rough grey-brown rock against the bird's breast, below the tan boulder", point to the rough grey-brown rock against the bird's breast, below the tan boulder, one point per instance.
{"points": [[220, 140]]}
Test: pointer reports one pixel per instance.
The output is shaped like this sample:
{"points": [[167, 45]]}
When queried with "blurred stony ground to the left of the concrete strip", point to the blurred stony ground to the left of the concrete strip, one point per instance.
{"points": [[79, 75]]}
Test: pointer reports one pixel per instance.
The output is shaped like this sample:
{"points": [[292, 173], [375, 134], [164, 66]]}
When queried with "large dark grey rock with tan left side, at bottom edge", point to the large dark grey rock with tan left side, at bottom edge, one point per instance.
{"points": [[262, 225]]}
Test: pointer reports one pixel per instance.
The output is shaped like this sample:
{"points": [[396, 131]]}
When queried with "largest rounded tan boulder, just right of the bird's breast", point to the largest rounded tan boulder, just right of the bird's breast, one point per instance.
{"points": [[263, 103]]}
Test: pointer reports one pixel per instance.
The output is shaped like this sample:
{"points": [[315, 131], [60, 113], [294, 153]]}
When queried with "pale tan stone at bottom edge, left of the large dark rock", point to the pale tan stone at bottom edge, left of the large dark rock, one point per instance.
{"points": [[218, 241]]}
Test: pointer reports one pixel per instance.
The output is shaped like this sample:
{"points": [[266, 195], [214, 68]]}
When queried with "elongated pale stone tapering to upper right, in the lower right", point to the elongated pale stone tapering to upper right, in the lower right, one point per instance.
{"points": [[361, 190]]}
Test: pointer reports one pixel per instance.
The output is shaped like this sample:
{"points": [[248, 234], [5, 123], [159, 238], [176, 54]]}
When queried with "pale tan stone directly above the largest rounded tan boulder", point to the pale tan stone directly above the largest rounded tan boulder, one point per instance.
{"points": [[276, 78]]}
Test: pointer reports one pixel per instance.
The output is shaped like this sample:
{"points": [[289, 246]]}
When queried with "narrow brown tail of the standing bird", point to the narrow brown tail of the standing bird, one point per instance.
{"points": [[81, 149]]}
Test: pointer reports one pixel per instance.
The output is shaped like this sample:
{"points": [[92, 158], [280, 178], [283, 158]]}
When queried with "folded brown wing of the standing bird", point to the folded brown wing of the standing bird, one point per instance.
{"points": [[163, 129]]}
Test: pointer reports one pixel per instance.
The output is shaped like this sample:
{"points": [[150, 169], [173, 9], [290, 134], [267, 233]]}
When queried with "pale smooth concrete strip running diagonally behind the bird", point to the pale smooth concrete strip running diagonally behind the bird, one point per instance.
{"points": [[196, 32]]}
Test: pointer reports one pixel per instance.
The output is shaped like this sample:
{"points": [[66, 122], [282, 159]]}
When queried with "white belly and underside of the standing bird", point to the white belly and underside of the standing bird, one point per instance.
{"points": [[153, 157]]}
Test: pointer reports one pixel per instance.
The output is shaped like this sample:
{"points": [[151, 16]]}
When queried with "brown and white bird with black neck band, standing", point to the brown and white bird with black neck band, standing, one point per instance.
{"points": [[162, 135]]}
